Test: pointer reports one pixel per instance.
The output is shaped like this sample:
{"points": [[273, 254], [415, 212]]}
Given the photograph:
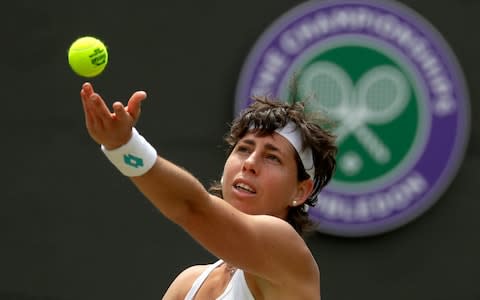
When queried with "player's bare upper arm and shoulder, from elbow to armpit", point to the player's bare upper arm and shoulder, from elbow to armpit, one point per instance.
{"points": [[262, 245]]}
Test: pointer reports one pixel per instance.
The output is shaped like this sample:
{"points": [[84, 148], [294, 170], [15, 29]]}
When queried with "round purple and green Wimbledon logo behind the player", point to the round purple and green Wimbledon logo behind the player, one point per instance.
{"points": [[395, 89]]}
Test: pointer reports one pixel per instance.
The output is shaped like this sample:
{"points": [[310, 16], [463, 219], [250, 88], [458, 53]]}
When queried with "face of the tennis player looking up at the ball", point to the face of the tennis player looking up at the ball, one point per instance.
{"points": [[260, 176]]}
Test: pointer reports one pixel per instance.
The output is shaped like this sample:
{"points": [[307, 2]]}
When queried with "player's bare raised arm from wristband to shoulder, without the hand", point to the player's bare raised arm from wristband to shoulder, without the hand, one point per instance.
{"points": [[265, 246]]}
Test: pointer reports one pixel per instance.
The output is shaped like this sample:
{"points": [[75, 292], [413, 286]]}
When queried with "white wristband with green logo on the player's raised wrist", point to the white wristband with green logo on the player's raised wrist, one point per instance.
{"points": [[134, 158]]}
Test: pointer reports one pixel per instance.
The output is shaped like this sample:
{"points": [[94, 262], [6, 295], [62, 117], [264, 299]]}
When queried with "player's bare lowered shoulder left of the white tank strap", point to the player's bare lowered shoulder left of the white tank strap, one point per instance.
{"points": [[183, 282]]}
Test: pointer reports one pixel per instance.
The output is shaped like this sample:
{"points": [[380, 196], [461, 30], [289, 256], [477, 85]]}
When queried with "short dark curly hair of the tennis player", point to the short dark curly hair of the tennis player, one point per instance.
{"points": [[263, 117]]}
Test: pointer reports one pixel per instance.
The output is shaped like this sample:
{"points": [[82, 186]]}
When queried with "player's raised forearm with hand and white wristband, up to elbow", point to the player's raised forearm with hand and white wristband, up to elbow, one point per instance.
{"points": [[174, 191]]}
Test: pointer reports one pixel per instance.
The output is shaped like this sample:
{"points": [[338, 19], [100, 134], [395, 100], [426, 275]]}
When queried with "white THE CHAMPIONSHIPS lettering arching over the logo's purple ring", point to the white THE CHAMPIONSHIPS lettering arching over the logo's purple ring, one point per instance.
{"points": [[385, 25]]}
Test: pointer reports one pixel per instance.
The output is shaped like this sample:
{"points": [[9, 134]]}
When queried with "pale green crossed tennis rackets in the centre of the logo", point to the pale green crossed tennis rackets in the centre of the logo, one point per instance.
{"points": [[379, 97]]}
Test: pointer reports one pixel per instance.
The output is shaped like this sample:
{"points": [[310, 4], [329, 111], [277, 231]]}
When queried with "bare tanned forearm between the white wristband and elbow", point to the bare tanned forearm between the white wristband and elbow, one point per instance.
{"points": [[173, 190]]}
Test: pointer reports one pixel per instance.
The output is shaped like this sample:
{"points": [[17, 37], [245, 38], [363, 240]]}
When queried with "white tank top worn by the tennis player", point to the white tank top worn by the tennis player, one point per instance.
{"points": [[237, 288]]}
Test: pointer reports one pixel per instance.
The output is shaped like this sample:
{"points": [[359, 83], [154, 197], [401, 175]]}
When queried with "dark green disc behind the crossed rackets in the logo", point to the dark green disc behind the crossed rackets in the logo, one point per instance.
{"points": [[397, 135]]}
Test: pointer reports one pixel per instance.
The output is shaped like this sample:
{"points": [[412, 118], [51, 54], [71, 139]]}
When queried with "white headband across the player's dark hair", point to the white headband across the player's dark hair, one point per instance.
{"points": [[293, 134]]}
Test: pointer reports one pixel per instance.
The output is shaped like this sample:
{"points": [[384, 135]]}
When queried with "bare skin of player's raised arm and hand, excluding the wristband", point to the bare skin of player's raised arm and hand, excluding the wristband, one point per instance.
{"points": [[262, 245]]}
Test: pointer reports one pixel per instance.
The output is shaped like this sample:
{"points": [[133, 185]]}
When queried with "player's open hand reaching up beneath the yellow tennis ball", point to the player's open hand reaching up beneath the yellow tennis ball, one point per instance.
{"points": [[111, 129]]}
